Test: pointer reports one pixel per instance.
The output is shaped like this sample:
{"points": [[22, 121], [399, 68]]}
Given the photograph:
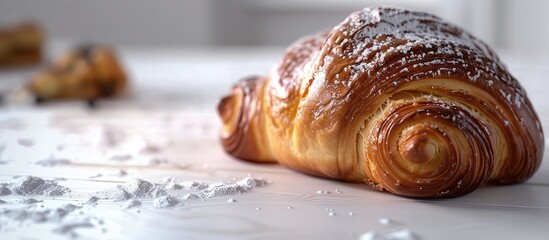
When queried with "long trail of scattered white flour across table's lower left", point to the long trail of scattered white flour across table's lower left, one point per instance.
{"points": [[171, 193]]}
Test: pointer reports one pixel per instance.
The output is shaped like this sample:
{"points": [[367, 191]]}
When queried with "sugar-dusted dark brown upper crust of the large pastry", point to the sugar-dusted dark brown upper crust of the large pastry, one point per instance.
{"points": [[379, 50]]}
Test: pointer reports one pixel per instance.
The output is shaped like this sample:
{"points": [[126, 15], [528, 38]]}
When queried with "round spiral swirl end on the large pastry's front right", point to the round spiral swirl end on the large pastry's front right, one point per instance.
{"points": [[428, 144]]}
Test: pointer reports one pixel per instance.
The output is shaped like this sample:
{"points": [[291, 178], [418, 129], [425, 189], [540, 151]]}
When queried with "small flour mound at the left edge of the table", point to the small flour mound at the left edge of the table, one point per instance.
{"points": [[29, 185]]}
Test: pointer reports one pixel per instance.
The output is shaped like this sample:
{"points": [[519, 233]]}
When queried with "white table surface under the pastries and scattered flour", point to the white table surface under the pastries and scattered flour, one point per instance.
{"points": [[174, 93]]}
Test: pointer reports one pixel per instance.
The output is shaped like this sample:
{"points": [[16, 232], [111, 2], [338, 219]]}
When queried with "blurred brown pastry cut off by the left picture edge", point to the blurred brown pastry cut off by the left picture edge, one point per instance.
{"points": [[21, 44]]}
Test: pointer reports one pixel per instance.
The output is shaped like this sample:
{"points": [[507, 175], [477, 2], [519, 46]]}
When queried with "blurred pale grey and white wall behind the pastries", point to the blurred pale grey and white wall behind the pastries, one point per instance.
{"points": [[515, 26]]}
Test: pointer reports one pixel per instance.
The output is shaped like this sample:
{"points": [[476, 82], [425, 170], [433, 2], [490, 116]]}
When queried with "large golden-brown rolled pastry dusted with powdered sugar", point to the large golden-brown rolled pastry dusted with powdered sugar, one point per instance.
{"points": [[401, 100]]}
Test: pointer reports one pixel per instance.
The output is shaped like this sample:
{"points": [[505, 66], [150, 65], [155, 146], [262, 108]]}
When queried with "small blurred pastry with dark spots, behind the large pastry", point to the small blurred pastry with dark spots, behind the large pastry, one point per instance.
{"points": [[87, 73]]}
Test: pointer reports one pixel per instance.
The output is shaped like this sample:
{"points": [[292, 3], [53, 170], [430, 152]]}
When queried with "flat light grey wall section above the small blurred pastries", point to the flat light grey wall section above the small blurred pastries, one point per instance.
{"points": [[172, 22]]}
